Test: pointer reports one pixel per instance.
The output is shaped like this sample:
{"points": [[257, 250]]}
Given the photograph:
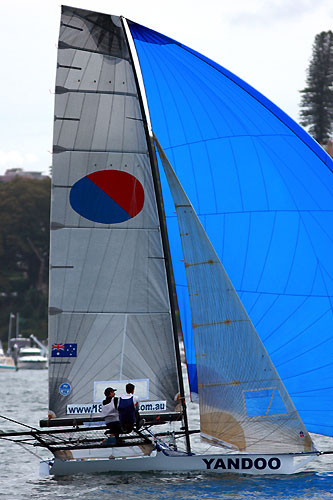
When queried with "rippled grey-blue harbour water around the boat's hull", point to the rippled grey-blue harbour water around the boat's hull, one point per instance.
{"points": [[24, 397]]}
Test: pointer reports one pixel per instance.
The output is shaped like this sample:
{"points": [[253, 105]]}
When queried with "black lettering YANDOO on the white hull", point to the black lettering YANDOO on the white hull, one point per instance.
{"points": [[259, 463]]}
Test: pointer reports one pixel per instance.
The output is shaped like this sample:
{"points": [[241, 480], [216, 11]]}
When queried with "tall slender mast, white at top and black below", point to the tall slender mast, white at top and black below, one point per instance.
{"points": [[164, 235]]}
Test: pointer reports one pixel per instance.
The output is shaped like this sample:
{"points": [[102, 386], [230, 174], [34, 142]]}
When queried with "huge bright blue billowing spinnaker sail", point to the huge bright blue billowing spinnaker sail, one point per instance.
{"points": [[263, 190]]}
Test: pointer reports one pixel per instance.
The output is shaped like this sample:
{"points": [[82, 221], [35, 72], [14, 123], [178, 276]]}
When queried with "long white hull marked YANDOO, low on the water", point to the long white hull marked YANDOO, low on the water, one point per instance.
{"points": [[219, 464]]}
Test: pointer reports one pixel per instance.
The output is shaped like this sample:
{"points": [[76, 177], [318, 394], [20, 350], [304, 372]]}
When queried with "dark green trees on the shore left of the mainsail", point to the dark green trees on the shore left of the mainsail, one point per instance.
{"points": [[24, 251]]}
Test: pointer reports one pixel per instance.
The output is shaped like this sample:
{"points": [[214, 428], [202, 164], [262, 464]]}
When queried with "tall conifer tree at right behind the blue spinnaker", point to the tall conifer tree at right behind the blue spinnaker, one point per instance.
{"points": [[317, 97]]}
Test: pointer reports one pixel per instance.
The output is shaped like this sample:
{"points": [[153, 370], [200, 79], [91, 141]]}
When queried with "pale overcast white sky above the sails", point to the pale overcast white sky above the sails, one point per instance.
{"points": [[267, 43]]}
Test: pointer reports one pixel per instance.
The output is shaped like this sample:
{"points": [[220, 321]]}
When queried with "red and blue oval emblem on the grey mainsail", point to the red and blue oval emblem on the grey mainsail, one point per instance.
{"points": [[107, 196]]}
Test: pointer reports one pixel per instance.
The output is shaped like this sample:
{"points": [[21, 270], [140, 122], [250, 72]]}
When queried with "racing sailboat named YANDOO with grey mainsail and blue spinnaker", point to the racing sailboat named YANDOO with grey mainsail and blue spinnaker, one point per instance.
{"points": [[185, 207]]}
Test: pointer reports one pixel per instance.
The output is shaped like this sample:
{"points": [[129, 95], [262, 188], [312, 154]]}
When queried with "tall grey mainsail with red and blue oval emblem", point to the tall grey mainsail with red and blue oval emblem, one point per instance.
{"points": [[109, 305]]}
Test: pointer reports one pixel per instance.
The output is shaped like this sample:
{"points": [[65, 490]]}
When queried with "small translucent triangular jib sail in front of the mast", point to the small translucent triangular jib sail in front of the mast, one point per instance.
{"points": [[242, 400]]}
